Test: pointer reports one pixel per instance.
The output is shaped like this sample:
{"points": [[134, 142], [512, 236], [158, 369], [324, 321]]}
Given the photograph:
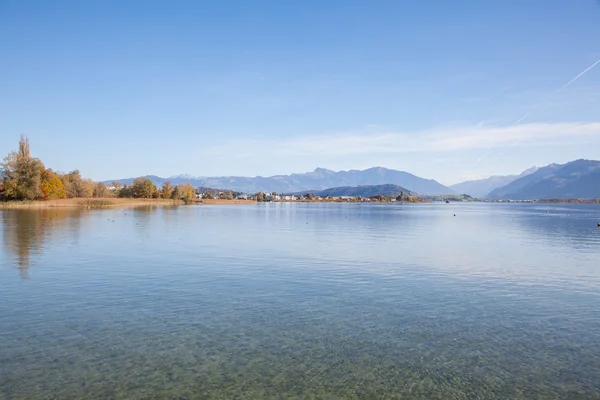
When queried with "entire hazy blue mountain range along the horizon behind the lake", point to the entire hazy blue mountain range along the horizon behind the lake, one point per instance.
{"points": [[576, 179]]}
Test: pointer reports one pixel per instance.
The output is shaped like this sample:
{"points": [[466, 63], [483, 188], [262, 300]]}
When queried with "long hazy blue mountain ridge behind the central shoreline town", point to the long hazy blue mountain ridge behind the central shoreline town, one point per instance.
{"points": [[319, 179]]}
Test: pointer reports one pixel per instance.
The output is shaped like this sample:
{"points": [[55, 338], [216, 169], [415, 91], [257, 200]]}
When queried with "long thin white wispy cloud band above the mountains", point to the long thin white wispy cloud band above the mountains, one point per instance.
{"points": [[434, 140]]}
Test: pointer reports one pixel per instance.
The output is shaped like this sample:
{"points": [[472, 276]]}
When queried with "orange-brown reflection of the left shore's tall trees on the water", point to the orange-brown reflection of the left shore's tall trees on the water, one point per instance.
{"points": [[25, 232]]}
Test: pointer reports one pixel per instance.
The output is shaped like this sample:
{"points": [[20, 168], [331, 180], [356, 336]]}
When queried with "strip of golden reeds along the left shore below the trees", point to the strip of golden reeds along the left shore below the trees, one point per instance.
{"points": [[89, 203]]}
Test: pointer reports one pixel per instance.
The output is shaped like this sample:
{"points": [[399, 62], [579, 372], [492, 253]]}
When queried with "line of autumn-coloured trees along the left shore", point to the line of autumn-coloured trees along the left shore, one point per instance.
{"points": [[26, 178]]}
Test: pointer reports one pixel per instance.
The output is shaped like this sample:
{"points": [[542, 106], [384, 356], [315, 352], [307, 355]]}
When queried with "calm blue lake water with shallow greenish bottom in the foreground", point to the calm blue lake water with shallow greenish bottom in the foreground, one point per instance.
{"points": [[301, 301]]}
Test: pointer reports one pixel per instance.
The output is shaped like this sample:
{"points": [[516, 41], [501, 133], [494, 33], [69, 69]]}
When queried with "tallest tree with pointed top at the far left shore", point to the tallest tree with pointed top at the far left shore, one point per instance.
{"points": [[22, 174]]}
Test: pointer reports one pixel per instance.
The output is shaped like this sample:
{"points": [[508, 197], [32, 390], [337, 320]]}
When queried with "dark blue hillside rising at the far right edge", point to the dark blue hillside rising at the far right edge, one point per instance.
{"points": [[576, 179]]}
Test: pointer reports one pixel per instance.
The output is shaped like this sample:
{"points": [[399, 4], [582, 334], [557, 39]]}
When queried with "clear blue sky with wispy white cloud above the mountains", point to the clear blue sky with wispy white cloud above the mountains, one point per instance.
{"points": [[446, 90]]}
